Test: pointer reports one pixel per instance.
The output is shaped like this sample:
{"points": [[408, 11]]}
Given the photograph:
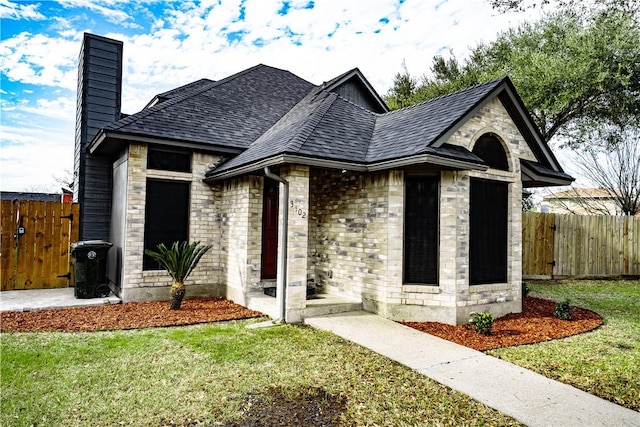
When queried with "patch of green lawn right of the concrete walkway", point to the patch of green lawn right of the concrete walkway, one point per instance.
{"points": [[604, 362]]}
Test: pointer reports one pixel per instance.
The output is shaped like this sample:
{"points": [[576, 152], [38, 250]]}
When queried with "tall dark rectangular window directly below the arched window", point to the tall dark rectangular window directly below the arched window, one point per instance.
{"points": [[488, 234]]}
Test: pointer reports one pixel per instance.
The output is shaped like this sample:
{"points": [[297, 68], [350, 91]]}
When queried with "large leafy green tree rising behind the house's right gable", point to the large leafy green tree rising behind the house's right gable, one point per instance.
{"points": [[571, 71]]}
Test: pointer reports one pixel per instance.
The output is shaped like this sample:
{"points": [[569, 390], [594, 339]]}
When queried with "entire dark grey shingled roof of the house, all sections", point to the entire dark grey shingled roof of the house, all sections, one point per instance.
{"points": [[265, 116]]}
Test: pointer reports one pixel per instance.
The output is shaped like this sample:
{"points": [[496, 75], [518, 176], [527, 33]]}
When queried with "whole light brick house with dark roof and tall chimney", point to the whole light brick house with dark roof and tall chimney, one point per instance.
{"points": [[413, 214]]}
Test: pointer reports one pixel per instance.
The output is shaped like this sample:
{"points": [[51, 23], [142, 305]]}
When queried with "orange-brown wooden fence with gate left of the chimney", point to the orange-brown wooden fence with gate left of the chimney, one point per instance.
{"points": [[35, 246]]}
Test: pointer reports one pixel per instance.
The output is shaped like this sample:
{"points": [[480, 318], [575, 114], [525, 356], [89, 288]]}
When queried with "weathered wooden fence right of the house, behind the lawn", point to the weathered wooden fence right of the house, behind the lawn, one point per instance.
{"points": [[555, 245]]}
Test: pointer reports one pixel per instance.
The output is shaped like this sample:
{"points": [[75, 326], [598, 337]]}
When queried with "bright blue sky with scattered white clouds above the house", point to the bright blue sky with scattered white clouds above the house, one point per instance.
{"points": [[171, 43]]}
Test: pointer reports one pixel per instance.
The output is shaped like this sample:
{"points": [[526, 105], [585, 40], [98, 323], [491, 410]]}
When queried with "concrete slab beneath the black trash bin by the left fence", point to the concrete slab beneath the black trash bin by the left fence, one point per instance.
{"points": [[45, 299]]}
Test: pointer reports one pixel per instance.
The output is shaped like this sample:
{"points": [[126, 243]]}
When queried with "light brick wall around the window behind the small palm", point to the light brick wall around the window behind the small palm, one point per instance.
{"points": [[139, 285]]}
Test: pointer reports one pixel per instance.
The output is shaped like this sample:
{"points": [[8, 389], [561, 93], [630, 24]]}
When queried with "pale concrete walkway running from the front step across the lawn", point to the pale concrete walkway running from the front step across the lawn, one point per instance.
{"points": [[522, 394]]}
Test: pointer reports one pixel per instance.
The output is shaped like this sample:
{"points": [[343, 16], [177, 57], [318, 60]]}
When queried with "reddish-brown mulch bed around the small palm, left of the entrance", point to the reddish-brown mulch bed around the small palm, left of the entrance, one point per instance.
{"points": [[131, 315]]}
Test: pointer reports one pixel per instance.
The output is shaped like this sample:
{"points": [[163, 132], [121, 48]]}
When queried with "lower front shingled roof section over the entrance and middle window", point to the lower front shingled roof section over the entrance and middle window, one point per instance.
{"points": [[336, 130]]}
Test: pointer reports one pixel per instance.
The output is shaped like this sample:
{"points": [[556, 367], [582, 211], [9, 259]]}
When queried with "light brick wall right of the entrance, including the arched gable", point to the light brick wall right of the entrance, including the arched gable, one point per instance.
{"points": [[356, 235]]}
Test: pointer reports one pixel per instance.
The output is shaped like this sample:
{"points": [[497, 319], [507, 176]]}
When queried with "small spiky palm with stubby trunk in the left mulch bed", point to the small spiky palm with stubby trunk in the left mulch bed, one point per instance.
{"points": [[179, 261]]}
